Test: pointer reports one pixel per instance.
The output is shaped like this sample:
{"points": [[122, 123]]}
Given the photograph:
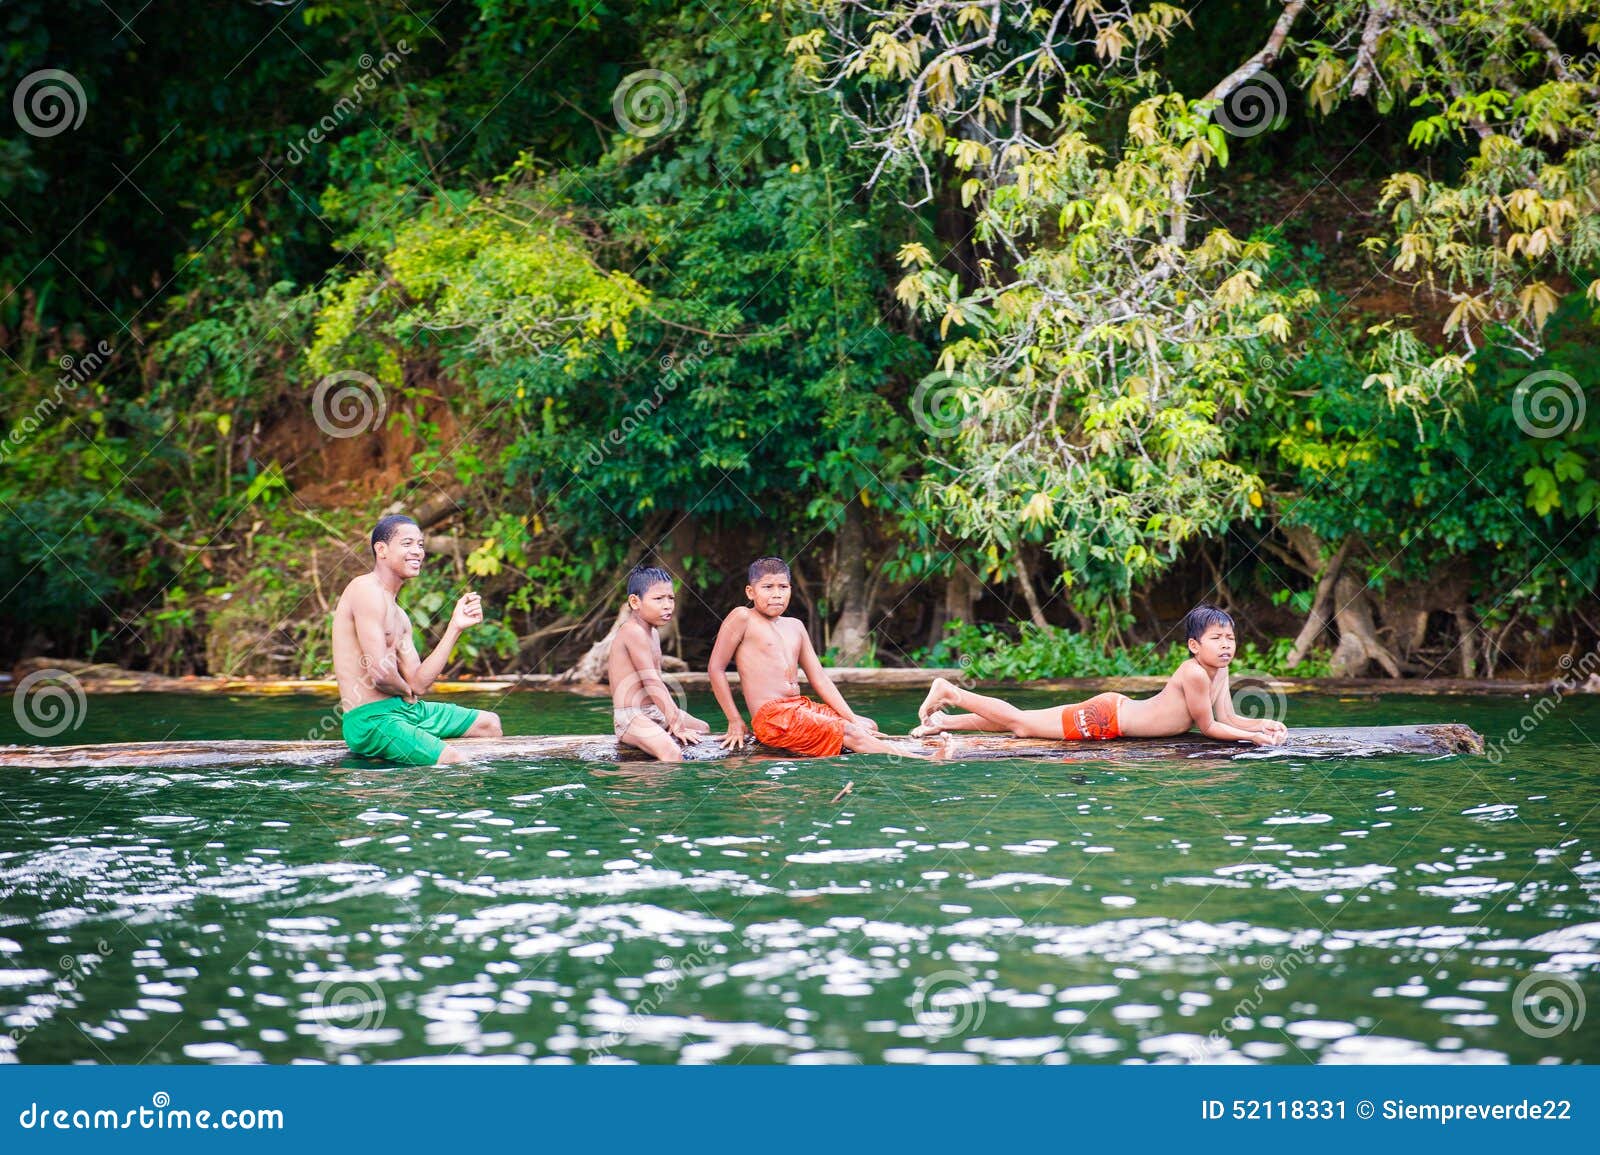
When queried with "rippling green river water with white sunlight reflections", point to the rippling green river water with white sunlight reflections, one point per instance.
{"points": [[1282, 909]]}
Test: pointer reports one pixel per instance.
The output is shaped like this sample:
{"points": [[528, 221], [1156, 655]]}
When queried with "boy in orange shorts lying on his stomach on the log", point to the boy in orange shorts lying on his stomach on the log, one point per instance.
{"points": [[1194, 697]]}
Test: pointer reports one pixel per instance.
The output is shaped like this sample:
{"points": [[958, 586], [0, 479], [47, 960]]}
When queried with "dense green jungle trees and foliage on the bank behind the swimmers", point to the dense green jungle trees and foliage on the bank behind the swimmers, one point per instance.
{"points": [[1017, 327]]}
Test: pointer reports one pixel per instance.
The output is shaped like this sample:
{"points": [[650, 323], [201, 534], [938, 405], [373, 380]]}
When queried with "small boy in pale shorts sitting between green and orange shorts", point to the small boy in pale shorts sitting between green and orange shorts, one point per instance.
{"points": [[642, 708]]}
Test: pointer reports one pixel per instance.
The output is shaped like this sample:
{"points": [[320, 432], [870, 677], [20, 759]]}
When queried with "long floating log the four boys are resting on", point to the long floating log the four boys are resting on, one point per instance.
{"points": [[1329, 743]]}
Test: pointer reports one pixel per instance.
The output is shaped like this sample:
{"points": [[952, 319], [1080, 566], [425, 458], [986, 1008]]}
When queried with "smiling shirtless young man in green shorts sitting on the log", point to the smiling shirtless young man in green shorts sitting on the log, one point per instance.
{"points": [[383, 679]]}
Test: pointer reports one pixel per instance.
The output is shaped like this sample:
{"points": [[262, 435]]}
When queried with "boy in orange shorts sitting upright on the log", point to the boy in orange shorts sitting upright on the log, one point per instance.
{"points": [[770, 652]]}
